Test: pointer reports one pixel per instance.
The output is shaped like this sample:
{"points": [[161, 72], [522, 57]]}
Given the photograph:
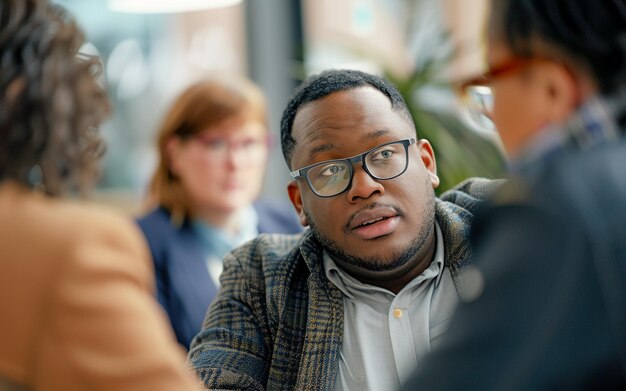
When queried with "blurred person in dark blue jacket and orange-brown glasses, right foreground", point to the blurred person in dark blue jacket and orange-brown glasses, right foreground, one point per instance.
{"points": [[549, 310]]}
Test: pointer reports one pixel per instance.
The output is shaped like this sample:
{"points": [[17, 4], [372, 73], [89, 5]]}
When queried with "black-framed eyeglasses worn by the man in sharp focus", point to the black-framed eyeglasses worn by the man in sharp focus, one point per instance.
{"points": [[332, 177]]}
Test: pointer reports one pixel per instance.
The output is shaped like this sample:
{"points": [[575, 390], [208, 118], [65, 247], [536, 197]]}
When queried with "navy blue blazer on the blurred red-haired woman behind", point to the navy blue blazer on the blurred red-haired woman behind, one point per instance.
{"points": [[184, 287]]}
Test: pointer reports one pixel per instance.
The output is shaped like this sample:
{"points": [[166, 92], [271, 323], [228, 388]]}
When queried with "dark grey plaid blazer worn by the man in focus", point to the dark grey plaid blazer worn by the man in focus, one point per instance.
{"points": [[277, 322]]}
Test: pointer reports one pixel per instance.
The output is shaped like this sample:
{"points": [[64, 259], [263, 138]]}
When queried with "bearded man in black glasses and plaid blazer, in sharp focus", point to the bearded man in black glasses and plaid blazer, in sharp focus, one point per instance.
{"points": [[356, 301]]}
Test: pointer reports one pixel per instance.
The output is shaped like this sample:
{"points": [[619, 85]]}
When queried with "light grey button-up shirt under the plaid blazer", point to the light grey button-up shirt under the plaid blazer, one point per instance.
{"points": [[386, 335]]}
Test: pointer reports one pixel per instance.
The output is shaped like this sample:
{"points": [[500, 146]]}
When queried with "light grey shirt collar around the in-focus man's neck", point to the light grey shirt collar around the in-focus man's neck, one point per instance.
{"points": [[348, 285]]}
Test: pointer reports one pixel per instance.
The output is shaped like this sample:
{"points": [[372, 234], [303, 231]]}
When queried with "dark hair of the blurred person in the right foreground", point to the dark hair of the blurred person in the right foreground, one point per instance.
{"points": [[590, 31]]}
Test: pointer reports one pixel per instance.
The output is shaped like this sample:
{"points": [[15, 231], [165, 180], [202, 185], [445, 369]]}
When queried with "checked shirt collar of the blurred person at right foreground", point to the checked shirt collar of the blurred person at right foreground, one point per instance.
{"points": [[594, 123]]}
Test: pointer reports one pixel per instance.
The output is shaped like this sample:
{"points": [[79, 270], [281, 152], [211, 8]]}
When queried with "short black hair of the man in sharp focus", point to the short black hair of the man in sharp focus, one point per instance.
{"points": [[326, 83]]}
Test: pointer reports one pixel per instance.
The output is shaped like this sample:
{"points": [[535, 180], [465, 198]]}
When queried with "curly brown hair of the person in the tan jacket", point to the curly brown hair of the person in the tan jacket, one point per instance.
{"points": [[51, 104]]}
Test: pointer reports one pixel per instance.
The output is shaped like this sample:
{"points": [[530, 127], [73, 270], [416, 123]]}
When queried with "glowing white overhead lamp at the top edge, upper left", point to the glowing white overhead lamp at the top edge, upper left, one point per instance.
{"points": [[167, 6]]}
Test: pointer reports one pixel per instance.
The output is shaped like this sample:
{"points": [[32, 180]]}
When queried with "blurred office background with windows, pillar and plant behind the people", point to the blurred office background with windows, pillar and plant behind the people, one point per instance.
{"points": [[151, 49]]}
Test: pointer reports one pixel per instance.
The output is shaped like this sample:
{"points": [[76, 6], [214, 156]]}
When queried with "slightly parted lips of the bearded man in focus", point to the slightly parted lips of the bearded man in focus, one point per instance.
{"points": [[375, 222]]}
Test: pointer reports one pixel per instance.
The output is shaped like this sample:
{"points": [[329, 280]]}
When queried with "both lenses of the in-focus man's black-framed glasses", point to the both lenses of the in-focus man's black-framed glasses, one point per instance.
{"points": [[333, 177]]}
